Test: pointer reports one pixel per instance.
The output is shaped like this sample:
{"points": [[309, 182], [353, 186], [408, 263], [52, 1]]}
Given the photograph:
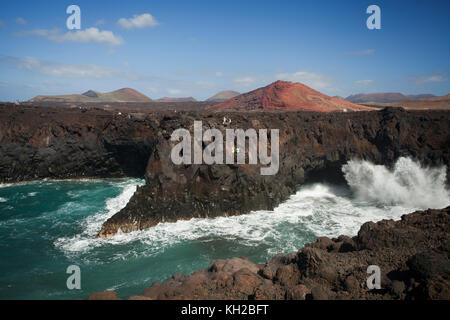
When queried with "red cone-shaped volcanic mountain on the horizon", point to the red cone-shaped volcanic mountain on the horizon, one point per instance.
{"points": [[283, 95]]}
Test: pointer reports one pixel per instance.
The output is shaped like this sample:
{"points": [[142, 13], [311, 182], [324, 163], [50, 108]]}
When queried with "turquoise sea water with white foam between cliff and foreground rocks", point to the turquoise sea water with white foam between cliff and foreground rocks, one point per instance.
{"points": [[48, 225]]}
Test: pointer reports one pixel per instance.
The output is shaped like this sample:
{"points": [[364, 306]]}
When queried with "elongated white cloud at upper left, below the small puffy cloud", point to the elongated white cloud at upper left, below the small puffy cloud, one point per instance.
{"points": [[83, 36]]}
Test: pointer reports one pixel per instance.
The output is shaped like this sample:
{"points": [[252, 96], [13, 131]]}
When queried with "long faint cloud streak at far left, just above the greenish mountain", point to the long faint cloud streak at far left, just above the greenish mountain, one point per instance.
{"points": [[68, 70]]}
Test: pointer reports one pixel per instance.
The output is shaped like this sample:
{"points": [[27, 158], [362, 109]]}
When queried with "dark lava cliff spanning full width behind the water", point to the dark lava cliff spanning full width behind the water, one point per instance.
{"points": [[57, 143]]}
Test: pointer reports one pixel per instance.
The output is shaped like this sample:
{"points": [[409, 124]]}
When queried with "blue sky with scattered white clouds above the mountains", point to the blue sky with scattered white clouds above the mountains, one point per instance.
{"points": [[197, 48]]}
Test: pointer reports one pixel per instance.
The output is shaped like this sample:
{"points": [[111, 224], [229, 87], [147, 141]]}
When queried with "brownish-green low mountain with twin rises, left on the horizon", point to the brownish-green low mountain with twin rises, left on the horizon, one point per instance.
{"points": [[121, 95]]}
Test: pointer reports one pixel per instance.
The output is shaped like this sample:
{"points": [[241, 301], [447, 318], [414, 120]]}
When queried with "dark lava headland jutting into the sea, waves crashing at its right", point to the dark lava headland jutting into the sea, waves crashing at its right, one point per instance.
{"points": [[313, 147]]}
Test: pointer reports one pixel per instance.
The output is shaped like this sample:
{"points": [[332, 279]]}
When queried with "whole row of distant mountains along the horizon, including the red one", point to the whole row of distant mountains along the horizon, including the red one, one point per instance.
{"points": [[280, 95]]}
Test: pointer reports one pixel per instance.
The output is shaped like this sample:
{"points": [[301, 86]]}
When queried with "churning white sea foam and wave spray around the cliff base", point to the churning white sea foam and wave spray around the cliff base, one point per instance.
{"points": [[318, 210]]}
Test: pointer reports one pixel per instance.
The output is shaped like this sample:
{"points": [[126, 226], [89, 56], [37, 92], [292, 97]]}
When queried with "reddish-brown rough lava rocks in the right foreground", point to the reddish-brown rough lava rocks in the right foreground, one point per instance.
{"points": [[412, 254]]}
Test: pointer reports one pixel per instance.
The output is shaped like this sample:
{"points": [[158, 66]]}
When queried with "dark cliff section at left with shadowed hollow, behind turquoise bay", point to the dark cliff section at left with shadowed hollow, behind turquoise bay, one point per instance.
{"points": [[37, 143]]}
